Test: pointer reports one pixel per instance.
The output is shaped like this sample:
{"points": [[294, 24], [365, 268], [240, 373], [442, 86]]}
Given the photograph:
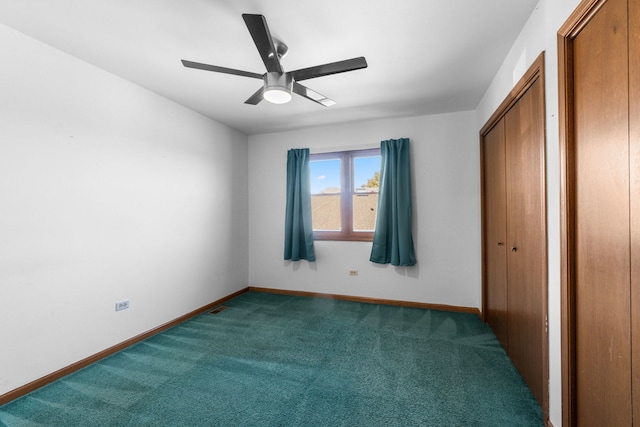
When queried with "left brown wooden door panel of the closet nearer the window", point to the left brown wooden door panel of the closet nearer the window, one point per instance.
{"points": [[495, 229]]}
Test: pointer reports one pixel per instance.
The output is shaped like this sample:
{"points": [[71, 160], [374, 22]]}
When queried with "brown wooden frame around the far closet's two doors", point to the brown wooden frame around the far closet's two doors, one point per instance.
{"points": [[533, 74]]}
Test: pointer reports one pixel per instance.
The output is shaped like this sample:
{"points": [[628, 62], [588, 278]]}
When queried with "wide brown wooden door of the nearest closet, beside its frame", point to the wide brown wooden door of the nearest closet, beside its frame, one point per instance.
{"points": [[602, 256]]}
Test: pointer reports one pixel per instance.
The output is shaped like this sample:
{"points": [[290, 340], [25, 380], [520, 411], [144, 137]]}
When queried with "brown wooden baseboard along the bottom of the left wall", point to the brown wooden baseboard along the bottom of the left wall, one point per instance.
{"points": [[40, 382]]}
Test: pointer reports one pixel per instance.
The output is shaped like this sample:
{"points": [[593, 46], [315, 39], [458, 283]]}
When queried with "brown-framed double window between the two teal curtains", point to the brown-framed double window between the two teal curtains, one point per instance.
{"points": [[344, 194]]}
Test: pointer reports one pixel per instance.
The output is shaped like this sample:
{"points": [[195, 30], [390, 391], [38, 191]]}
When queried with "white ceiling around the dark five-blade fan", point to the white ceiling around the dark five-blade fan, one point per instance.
{"points": [[424, 56]]}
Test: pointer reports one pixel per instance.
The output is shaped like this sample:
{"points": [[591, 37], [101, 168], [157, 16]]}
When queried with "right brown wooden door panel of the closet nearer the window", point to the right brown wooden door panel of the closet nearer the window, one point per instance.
{"points": [[526, 241]]}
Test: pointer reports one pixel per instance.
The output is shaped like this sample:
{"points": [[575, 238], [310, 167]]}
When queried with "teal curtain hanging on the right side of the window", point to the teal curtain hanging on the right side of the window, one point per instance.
{"points": [[392, 239]]}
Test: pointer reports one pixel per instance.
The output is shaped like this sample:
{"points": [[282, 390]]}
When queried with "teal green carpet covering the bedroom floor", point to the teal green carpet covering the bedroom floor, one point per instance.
{"points": [[276, 360]]}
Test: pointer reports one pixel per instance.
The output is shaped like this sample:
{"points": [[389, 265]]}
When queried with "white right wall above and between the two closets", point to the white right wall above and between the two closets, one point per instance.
{"points": [[540, 34]]}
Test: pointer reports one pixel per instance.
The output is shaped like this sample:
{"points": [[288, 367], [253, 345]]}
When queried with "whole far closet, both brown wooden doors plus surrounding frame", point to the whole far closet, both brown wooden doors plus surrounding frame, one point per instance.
{"points": [[514, 213]]}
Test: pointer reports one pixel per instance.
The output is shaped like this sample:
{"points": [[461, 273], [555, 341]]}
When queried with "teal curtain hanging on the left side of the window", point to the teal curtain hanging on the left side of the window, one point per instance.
{"points": [[298, 229]]}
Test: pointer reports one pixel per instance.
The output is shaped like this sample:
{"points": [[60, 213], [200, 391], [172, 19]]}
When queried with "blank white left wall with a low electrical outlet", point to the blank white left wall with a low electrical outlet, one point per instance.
{"points": [[108, 192]]}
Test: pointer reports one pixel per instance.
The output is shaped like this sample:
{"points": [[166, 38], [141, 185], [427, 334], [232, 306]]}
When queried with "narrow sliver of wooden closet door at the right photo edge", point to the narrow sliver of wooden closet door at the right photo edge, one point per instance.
{"points": [[634, 149]]}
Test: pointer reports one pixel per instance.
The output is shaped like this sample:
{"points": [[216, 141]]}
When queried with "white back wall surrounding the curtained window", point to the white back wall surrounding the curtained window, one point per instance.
{"points": [[446, 229]]}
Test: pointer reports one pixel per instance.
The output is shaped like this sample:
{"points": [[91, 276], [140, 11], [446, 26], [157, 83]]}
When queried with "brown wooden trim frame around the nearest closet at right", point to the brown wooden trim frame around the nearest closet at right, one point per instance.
{"points": [[581, 16]]}
